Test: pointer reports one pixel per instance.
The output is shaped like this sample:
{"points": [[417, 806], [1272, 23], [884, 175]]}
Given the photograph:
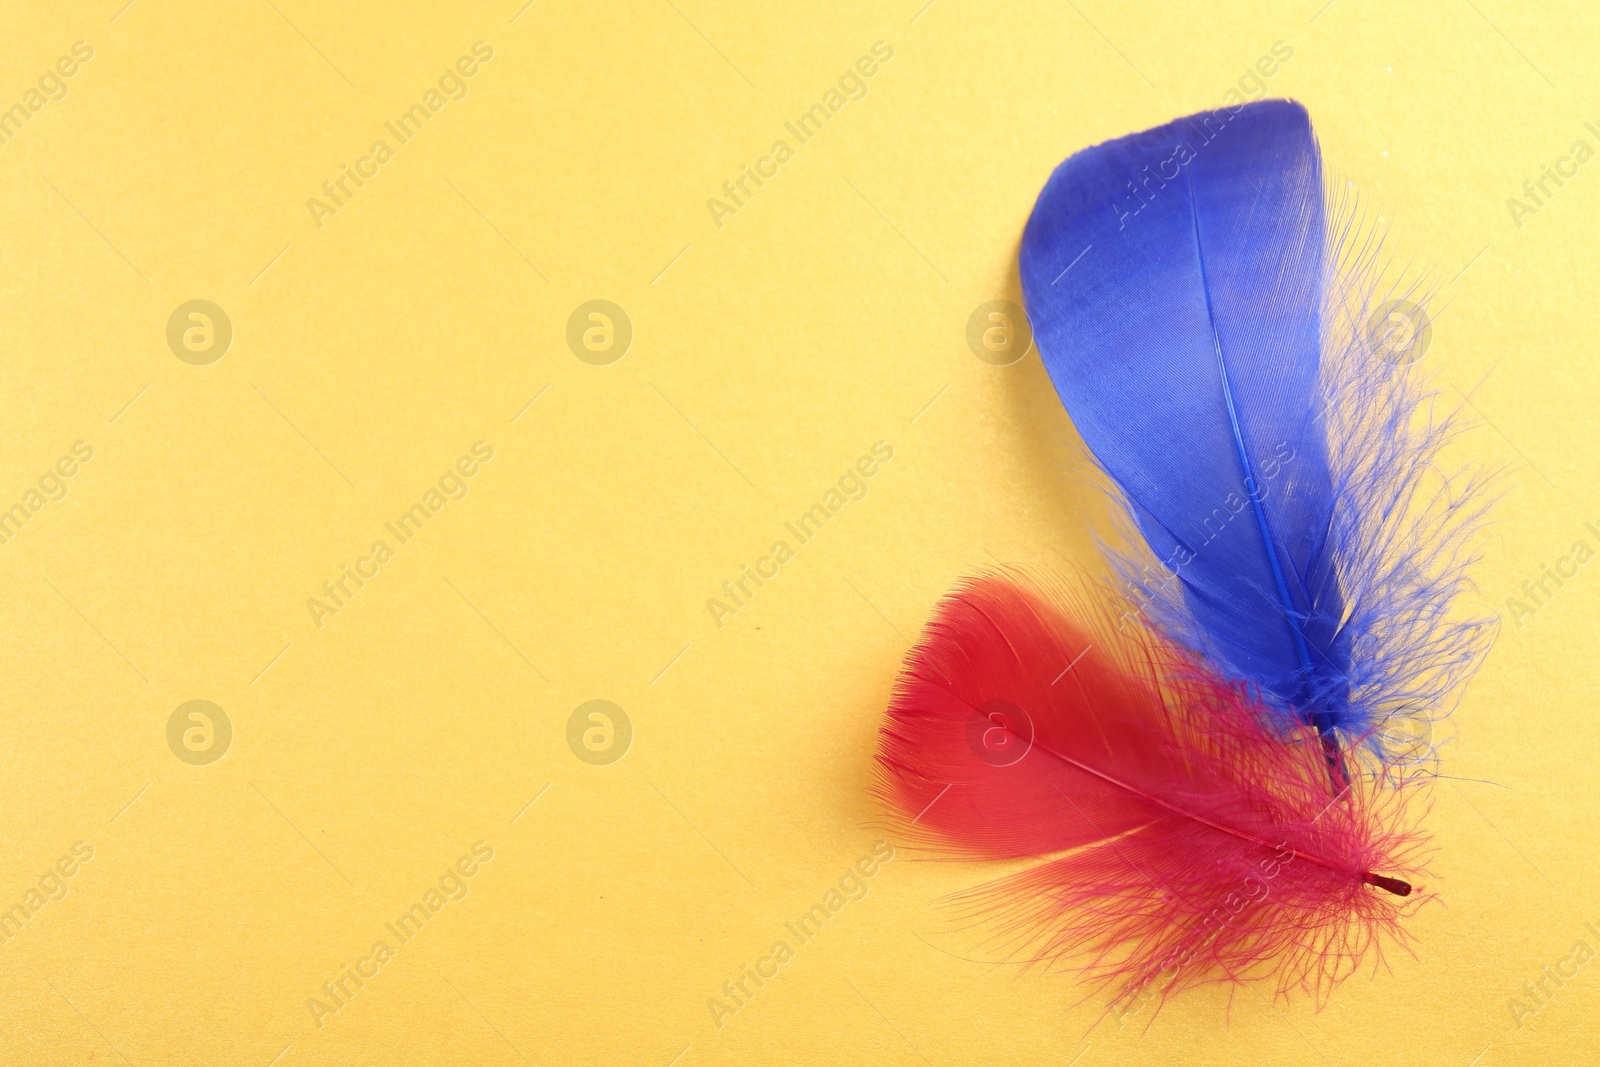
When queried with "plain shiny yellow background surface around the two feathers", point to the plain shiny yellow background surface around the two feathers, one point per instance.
{"points": [[769, 354]]}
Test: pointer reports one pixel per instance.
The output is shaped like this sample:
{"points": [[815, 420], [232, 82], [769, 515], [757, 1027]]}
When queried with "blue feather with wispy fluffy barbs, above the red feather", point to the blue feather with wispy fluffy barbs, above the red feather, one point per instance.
{"points": [[1207, 327]]}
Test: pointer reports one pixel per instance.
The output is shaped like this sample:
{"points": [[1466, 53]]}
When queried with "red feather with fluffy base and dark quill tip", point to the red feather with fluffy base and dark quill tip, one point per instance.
{"points": [[1190, 841]]}
